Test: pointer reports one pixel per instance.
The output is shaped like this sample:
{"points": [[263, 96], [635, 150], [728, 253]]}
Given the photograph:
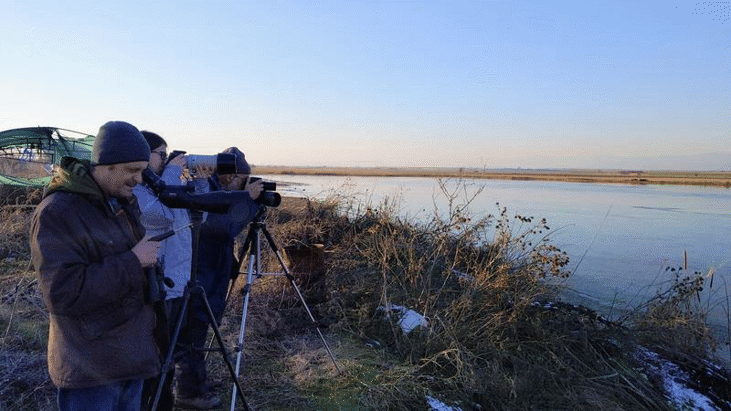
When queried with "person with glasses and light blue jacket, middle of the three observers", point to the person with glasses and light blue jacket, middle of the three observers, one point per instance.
{"points": [[175, 261]]}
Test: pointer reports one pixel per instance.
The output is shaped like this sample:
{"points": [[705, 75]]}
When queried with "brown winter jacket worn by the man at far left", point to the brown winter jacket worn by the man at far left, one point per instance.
{"points": [[101, 328]]}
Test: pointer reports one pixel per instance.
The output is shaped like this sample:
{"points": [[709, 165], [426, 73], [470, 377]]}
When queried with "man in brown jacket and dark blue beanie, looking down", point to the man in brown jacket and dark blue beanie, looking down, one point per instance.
{"points": [[88, 249]]}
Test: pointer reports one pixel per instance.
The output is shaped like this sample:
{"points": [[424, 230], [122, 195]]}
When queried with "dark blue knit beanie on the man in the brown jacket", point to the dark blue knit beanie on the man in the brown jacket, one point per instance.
{"points": [[119, 142]]}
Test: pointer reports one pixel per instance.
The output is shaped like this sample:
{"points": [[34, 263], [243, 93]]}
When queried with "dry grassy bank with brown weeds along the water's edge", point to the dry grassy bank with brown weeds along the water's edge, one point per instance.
{"points": [[494, 334]]}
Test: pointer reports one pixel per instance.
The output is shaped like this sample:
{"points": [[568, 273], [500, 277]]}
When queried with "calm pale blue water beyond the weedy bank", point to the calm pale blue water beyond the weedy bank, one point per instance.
{"points": [[620, 238]]}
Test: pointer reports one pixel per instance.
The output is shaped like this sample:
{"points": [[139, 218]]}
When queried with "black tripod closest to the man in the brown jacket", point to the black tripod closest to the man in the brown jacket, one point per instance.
{"points": [[193, 288]]}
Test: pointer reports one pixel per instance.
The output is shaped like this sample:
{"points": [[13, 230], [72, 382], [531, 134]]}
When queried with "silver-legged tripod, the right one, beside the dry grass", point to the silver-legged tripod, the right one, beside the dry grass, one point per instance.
{"points": [[253, 244]]}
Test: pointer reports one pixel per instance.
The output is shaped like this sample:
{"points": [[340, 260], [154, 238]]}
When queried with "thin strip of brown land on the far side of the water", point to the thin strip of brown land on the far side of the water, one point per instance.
{"points": [[692, 178]]}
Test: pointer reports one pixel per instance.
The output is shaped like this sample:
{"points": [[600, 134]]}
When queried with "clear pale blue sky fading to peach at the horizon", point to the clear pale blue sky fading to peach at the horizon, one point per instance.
{"points": [[488, 84]]}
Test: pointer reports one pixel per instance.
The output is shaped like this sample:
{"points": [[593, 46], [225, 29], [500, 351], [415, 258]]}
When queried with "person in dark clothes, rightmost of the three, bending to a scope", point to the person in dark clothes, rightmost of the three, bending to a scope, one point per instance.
{"points": [[214, 265]]}
